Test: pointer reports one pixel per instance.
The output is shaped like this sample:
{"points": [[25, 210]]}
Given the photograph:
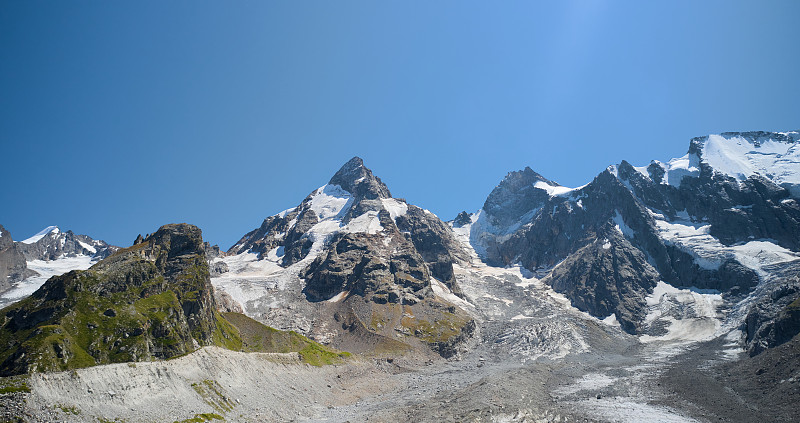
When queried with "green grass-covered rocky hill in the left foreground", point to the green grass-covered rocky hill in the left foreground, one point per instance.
{"points": [[153, 300]]}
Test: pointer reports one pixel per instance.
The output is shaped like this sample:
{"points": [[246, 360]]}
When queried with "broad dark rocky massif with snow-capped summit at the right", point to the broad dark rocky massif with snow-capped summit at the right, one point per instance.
{"points": [[724, 217]]}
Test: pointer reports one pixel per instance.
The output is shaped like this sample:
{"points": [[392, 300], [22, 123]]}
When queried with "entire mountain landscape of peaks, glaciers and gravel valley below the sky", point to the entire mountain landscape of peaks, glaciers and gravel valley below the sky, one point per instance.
{"points": [[668, 292]]}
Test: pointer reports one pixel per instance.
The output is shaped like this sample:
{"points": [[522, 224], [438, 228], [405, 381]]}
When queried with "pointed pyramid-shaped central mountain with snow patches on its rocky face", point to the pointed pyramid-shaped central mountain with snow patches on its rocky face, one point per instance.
{"points": [[351, 259]]}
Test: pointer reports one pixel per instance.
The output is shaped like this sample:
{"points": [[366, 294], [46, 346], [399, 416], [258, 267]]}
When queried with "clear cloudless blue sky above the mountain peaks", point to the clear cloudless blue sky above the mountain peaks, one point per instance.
{"points": [[118, 117]]}
